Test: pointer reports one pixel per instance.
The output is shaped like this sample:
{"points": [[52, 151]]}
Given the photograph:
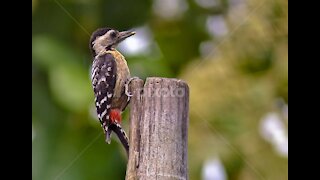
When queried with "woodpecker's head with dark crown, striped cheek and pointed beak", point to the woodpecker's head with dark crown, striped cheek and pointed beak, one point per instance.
{"points": [[107, 39]]}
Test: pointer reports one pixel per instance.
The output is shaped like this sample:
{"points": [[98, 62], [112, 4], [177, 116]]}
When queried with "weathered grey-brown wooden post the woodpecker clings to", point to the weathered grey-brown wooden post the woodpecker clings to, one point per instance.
{"points": [[159, 117]]}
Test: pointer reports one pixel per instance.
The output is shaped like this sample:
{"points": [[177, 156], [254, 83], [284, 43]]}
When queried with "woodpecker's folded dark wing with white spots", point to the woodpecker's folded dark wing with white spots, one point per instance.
{"points": [[104, 76]]}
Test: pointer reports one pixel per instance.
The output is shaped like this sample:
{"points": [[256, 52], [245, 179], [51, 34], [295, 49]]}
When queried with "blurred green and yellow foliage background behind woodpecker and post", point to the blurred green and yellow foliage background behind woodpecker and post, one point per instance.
{"points": [[232, 53]]}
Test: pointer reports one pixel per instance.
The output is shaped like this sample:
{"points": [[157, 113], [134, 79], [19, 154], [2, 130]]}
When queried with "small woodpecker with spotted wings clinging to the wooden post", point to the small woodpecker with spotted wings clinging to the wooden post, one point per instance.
{"points": [[110, 77]]}
